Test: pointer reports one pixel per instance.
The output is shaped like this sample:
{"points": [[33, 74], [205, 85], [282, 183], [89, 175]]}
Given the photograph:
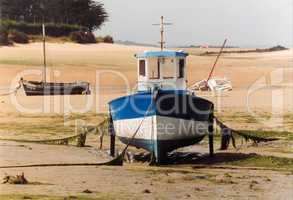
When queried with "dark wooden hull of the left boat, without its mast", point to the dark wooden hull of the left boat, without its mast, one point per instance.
{"points": [[34, 88]]}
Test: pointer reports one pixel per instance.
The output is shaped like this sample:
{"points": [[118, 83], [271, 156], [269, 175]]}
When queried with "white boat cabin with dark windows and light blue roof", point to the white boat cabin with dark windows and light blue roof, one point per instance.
{"points": [[162, 69]]}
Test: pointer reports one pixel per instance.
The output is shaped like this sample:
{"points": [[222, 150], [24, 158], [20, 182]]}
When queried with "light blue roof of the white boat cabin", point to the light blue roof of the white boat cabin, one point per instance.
{"points": [[148, 54]]}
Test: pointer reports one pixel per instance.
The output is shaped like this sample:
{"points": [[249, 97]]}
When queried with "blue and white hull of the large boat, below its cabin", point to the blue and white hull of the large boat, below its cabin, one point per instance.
{"points": [[171, 120]]}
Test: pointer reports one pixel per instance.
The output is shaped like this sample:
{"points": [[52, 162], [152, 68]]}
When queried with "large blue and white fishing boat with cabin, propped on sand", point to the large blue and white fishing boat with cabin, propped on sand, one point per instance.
{"points": [[163, 114]]}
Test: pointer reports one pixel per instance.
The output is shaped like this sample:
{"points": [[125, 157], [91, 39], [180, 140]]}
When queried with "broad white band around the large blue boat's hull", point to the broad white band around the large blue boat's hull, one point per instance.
{"points": [[161, 128]]}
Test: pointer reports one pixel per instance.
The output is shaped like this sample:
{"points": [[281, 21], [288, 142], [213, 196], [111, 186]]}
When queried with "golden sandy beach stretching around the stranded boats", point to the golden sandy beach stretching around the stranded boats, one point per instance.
{"points": [[261, 99]]}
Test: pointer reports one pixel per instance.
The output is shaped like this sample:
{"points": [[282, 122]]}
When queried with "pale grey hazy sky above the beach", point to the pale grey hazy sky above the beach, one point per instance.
{"points": [[246, 23]]}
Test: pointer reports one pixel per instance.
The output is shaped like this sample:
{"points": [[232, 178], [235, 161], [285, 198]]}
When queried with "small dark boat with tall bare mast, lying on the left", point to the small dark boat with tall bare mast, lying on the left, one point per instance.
{"points": [[43, 88]]}
